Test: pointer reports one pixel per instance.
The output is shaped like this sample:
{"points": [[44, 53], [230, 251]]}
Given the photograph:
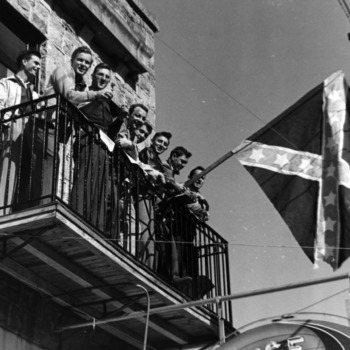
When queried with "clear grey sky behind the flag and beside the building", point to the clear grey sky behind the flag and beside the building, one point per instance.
{"points": [[225, 68]]}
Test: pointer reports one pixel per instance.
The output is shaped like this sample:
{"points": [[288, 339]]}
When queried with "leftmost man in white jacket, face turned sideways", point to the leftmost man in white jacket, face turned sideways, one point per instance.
{"points": [[15, 90]]}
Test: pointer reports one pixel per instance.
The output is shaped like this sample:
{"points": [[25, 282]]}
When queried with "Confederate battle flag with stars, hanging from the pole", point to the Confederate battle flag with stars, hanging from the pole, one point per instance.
{"points": [[301, 160]]}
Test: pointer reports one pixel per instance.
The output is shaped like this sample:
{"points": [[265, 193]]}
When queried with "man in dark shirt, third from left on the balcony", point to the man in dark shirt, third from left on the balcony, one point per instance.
{"points": [[92, 191]]}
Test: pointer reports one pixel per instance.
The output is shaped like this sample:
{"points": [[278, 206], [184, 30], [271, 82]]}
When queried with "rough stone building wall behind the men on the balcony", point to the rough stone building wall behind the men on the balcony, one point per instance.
{"points": [[124, 19]]}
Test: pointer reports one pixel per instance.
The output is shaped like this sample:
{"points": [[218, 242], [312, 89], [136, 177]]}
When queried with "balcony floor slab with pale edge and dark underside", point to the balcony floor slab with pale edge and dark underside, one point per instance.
{"points": [[54, 251]]}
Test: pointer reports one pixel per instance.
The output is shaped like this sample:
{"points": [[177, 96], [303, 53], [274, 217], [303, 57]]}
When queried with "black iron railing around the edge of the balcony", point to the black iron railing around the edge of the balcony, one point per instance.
{"points": [[51, 152]]}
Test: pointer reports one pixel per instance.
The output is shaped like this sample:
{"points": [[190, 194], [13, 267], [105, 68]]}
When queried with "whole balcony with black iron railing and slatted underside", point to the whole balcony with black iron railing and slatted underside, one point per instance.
{"points": [[83, 224]]}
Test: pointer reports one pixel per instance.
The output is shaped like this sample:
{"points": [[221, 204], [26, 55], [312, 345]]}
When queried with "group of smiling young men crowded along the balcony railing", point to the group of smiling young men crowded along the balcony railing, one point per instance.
{"points": [[31, 146]]}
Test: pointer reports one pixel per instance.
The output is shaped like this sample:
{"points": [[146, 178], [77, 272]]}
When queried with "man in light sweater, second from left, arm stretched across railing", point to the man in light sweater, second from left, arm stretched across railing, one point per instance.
{"points": [[68, 81]]}
